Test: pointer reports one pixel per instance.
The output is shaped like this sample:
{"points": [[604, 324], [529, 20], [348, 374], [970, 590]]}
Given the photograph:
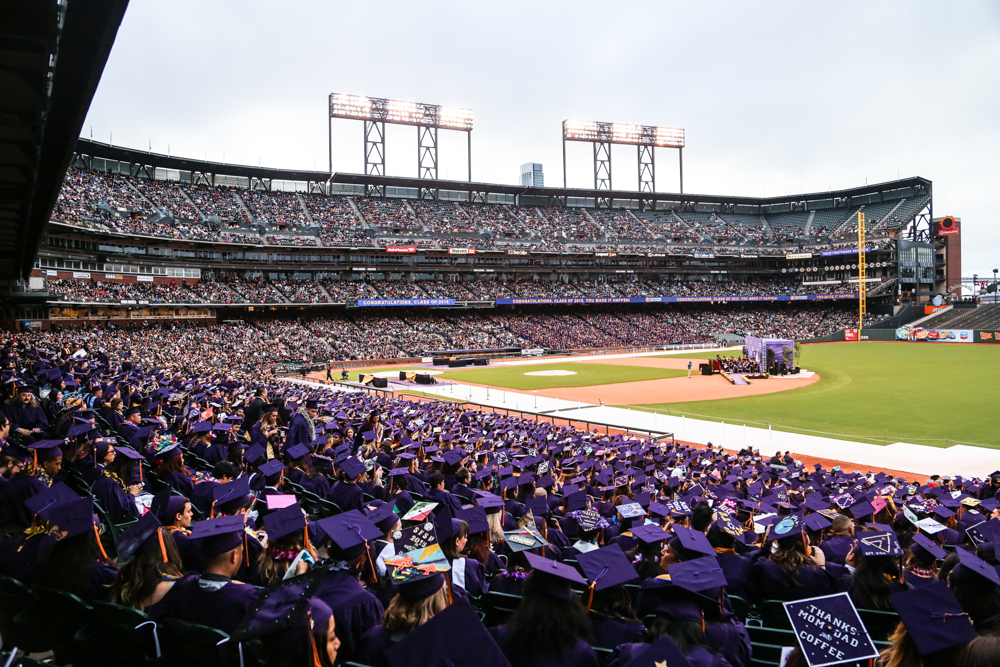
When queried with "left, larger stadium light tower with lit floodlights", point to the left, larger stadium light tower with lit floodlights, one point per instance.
{"points": [[427, 118]]}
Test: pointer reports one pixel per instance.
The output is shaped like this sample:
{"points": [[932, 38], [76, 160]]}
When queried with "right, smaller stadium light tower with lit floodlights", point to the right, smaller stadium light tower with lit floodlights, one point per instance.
{"points": [[645, 137]]}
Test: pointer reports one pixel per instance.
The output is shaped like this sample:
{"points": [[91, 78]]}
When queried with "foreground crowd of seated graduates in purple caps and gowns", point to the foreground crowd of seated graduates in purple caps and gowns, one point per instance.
{"points": [[254, 518]]}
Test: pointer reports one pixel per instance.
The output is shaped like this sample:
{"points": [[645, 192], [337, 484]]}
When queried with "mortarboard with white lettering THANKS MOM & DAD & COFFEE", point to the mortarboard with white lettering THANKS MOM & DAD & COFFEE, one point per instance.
{"points": [[830, 631]]}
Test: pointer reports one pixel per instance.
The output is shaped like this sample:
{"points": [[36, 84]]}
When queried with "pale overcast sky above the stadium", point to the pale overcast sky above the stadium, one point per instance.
{"points": [[776, 97]]}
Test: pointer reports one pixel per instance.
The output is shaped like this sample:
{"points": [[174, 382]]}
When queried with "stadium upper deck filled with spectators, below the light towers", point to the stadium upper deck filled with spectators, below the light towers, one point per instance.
{"points": [[133, 193]]}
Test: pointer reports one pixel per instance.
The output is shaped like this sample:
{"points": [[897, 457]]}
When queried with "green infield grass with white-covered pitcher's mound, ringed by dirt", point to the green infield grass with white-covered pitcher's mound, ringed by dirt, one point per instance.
{"points": [[513, 377]]}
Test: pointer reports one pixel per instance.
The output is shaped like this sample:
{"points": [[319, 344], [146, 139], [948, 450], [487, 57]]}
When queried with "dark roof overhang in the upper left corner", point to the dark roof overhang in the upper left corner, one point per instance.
{"points": [[52, 56]]}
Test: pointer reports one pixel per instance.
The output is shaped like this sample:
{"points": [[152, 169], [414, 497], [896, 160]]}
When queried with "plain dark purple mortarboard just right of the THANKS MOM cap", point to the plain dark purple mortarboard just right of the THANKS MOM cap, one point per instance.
{"points": [[933, 618]]}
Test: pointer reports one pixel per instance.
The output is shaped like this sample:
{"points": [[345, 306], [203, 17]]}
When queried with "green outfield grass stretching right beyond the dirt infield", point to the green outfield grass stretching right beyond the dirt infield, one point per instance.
{"points": [[923, 393]]}
